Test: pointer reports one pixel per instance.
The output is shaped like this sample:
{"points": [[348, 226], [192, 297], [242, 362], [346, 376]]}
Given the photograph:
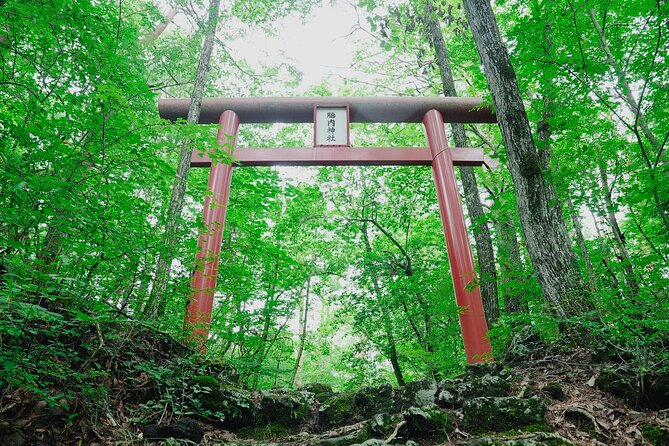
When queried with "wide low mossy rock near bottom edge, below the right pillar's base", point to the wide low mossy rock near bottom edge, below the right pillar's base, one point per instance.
{"points": [[500, 414]]}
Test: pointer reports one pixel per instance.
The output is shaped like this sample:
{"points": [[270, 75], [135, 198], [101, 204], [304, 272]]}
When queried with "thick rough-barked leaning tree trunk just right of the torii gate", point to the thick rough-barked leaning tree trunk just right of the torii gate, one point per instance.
{"points": [[545, 233]]}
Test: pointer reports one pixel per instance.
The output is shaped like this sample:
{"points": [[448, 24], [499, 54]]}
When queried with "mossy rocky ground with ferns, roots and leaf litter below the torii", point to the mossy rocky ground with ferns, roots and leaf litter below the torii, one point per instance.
{"points": [[121, 383]]}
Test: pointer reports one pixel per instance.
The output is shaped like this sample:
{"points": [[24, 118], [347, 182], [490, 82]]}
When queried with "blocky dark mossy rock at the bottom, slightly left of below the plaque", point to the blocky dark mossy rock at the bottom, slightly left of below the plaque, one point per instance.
{"points": [[286, 407]]}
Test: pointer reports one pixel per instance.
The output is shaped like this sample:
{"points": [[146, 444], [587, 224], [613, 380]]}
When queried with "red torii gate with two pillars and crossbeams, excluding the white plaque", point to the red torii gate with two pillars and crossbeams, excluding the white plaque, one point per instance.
{"points": [[432, 111]]}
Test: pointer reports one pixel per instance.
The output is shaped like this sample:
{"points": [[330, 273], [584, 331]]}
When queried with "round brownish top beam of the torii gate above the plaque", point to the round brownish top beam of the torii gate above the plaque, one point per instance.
{"points": [[362, 108]]}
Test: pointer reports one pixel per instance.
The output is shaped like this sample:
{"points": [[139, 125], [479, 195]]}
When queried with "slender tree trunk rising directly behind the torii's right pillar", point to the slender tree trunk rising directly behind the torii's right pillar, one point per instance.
{"points": [[484, 251]]}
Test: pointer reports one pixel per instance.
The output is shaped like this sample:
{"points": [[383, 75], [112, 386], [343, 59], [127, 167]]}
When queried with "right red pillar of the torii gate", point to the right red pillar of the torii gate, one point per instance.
{"points": [[467, 291]]}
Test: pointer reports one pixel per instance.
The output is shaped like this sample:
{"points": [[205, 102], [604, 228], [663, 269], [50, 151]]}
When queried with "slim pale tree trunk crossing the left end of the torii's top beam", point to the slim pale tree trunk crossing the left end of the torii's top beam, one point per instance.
{"points": [[157, 301]]}
